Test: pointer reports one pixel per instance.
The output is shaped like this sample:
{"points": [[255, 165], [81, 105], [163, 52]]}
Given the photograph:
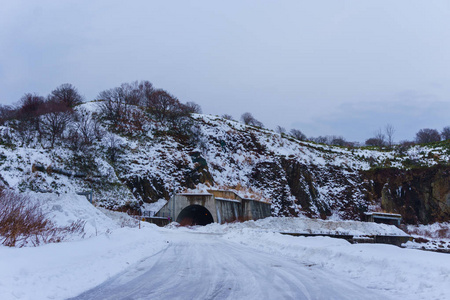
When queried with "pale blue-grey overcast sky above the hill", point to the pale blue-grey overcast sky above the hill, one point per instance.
{"points": [[325, 67]]}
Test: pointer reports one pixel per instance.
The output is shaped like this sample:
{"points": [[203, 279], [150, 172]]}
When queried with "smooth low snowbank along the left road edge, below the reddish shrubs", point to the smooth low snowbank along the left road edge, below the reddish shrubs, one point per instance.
{"points": [[59, 271]]}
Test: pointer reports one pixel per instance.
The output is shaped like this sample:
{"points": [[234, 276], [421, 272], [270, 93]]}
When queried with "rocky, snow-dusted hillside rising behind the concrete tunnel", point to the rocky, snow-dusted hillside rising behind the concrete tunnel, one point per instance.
{"points": [[129, 165]]}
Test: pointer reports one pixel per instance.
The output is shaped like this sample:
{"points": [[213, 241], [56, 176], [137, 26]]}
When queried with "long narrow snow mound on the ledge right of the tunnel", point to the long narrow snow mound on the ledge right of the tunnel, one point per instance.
{"points": [[306, 225]]}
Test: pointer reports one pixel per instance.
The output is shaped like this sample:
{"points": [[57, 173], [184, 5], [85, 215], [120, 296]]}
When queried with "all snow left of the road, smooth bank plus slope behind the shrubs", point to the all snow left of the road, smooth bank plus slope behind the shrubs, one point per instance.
{"points": [[61, 270]]}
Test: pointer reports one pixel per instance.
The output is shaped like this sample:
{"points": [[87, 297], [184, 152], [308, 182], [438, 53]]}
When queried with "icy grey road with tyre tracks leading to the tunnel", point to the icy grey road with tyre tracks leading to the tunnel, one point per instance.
{"points": [[206, 266]]}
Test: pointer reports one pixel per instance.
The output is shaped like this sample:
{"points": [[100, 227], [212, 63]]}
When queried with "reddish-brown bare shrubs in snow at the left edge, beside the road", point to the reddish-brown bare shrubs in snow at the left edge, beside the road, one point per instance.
{"points": [[22, 222]]}
